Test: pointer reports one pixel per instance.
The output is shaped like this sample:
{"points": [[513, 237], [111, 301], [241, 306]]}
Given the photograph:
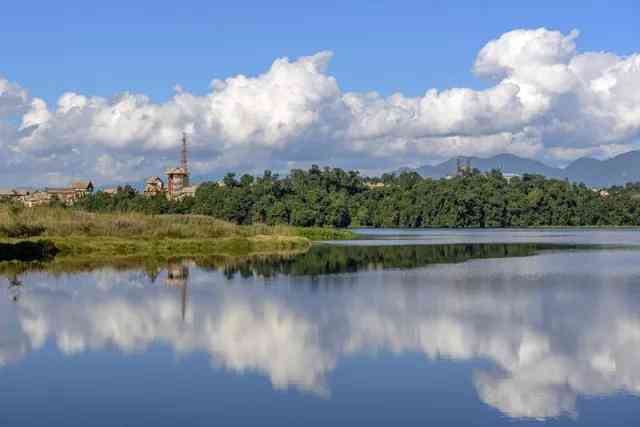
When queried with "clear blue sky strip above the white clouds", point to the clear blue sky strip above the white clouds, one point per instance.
{"points": [[387, 46]]}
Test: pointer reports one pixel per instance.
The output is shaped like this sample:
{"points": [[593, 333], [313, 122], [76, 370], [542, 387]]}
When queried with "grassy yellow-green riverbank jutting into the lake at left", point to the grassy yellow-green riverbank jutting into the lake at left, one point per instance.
{"points": [[83, 234]]}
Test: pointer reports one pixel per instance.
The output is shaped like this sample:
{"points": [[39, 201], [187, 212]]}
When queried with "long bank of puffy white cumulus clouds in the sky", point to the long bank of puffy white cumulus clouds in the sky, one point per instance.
{"points": [[547, 100]]}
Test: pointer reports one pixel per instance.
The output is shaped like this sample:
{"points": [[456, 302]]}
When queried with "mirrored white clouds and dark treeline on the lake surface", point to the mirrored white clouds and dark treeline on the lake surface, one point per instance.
{"points": [[553, 326]]}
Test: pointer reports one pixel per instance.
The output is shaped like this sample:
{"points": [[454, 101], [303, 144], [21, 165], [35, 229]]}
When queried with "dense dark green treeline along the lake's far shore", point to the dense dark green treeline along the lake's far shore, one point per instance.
{"points": [[333, 197]]}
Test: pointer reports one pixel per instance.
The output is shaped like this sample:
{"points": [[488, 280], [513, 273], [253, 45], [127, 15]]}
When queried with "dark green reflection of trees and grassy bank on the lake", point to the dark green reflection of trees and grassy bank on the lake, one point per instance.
{"points": [[320, 260]]}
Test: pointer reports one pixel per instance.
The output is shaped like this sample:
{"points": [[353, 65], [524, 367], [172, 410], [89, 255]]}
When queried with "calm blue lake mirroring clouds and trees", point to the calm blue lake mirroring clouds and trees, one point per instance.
{"points": [[403, 327]]}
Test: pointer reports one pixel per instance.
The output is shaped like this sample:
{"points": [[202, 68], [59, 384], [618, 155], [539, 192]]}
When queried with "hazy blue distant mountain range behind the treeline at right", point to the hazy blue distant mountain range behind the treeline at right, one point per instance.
{"points": [[617, 170]]}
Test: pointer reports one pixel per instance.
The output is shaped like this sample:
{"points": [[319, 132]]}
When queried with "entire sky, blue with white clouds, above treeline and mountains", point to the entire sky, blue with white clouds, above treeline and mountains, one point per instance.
{"points": [[105, 91]]}
